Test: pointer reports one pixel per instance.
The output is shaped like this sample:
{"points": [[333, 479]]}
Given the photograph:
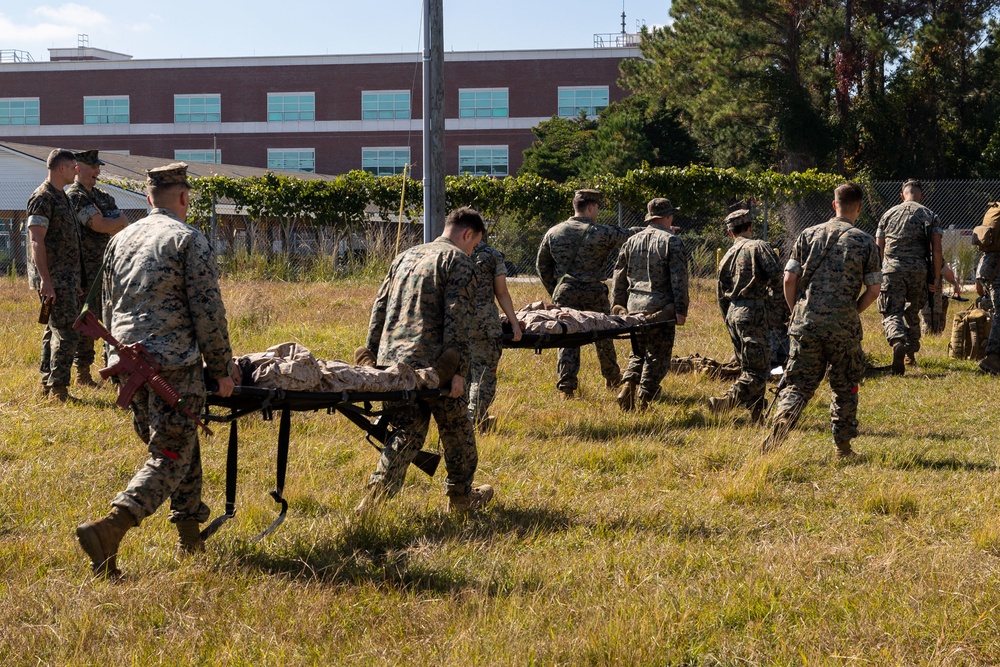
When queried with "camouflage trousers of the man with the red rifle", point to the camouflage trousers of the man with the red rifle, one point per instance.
{"points": [[173, 469]]}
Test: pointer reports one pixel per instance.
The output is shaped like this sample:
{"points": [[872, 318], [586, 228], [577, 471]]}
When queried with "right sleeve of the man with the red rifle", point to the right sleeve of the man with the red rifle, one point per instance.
{"points": [[208, 314]]}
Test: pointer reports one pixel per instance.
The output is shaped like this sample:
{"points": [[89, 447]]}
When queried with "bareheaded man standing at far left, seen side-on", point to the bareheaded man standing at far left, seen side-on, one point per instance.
{"points": [[54, 269]]}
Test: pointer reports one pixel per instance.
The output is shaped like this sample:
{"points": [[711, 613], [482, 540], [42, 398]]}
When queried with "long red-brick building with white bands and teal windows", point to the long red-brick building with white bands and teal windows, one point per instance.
{"points": [[321, 114]]}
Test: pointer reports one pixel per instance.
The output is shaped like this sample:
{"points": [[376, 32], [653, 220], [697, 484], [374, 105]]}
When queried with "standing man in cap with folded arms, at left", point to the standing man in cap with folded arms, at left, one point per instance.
{"points": [[99, 218]]}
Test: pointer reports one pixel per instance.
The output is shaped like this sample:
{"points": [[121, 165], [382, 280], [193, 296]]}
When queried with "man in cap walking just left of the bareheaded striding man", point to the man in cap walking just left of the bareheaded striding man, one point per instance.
{"points": [[749, 277]]}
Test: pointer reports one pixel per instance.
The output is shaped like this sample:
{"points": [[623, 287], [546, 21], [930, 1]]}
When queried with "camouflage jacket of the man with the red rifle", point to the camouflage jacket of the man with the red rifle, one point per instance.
{"points": [[161, 289]]}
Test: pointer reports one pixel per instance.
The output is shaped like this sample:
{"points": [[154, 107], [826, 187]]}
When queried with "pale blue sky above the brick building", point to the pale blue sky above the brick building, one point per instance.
{"points": [[207, 28]]}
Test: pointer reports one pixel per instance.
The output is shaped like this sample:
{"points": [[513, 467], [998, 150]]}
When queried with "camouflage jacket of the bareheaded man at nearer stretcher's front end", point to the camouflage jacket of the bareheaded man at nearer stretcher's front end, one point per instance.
{"points": [[424, 306]]}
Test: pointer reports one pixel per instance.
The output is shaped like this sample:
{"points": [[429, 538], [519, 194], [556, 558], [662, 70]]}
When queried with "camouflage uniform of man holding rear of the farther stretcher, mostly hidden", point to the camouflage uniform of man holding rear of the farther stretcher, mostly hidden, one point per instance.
{"points": [[485, 333]]}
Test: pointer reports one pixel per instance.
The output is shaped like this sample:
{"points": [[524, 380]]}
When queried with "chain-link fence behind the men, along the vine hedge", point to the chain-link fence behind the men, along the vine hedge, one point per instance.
{"points": [[297, 250]]}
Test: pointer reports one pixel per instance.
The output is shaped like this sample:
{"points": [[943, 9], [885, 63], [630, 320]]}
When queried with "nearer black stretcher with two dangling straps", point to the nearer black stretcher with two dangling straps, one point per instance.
{"points": [[356, 406]]}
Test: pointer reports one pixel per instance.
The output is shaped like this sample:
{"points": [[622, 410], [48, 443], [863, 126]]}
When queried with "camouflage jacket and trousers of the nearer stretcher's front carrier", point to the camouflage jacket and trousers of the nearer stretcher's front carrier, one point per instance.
{"points": [[423, 307]]}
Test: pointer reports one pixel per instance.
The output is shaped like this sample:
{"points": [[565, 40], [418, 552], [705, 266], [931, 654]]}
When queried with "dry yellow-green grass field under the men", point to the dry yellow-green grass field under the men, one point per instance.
{"points": [[660, 538]]}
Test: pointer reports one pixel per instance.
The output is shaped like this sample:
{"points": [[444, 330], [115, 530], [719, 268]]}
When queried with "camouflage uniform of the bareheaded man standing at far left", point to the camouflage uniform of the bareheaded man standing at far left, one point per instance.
{"points": [[49, 207]]}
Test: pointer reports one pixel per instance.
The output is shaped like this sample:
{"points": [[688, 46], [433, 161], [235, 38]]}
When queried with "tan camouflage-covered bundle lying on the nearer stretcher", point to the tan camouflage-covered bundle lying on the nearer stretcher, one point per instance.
{"points": [[293, 367]]}
